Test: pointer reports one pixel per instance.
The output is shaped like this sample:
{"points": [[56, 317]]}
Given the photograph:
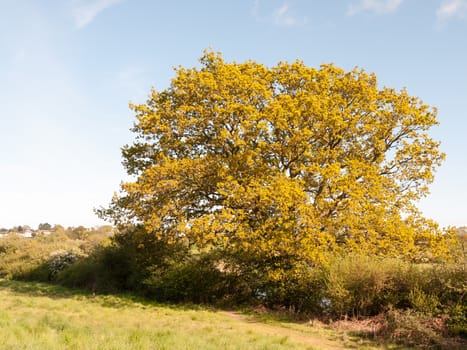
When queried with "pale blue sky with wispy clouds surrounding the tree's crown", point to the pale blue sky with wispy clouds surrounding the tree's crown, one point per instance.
{"points": [[68, 69]]}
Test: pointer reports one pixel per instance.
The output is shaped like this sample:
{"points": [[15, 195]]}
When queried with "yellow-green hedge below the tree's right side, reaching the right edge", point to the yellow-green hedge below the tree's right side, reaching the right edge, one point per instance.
{"points": [[358, 285]]}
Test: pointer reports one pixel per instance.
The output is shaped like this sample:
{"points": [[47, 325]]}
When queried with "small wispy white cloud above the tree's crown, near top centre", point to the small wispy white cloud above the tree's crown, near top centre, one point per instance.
{"points": [[282, 16]]}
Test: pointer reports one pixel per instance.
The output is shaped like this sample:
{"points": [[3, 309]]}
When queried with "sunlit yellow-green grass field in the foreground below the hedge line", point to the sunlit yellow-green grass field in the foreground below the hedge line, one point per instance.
{"points": [[41, 316]]}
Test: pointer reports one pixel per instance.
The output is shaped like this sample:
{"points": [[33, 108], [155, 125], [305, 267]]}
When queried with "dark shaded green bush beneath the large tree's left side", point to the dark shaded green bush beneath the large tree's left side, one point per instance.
{"points": [[126, 264]]}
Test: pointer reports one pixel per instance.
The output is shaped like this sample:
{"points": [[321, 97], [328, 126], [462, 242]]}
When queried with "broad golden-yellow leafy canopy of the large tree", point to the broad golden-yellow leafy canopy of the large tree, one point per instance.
{"points": [[281, 162]]}
